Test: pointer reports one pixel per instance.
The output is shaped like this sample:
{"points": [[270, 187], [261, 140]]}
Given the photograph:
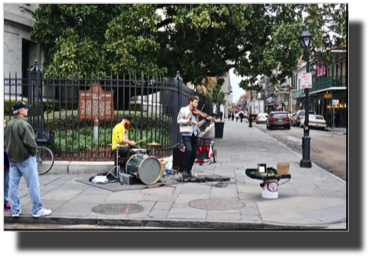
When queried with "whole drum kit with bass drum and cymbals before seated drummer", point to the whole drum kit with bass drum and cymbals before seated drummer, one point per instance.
{"points": [[144, 167]]}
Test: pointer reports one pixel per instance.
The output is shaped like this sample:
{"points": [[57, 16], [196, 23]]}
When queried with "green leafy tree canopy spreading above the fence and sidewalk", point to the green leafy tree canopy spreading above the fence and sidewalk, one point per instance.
{"points": [[198, 40]]}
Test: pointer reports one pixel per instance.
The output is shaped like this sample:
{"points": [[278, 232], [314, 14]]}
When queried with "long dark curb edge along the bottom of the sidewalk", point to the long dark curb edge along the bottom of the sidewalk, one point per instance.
{"points": [[164, 223]]}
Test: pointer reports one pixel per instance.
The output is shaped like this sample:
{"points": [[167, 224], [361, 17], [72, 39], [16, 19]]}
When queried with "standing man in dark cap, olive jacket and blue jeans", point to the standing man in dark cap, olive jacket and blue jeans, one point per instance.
{"points": [[21, 149]]}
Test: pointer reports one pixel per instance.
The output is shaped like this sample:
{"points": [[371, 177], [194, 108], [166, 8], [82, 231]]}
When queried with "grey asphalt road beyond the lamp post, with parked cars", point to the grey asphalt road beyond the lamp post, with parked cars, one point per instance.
{"points": [[327, 149]]}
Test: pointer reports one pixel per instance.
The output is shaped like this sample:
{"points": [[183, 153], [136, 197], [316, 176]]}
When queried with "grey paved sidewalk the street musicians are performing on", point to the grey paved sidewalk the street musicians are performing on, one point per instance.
{"points": [[313, 199]]}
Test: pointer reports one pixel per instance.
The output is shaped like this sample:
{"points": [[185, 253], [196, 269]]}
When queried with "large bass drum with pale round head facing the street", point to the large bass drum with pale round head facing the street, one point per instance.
{"points": [[147, 169]]}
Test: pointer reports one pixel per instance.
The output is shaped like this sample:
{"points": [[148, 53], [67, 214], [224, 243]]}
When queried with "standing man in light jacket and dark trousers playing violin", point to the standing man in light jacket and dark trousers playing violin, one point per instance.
{"points": [[188, 123]]}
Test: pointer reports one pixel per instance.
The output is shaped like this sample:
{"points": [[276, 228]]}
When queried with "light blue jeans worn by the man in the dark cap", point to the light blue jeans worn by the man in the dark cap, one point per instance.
{"points": [[27, 169]]}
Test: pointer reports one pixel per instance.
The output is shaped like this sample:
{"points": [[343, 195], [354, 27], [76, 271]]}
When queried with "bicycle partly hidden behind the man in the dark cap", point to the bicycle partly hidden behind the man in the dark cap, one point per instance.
{"points": [[45, 156]]}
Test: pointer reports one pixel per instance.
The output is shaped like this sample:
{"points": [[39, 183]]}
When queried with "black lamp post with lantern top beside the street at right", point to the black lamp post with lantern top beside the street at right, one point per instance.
{"points": [[305, 40]]}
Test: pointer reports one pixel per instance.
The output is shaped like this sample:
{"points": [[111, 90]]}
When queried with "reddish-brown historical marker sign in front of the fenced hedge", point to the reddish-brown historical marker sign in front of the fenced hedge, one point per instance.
{"points": [[95, 103]]}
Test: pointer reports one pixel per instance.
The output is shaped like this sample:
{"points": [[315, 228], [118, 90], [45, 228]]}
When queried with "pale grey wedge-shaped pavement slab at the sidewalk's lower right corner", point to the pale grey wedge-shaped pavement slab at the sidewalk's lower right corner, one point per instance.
{"points": [[327, 215]]}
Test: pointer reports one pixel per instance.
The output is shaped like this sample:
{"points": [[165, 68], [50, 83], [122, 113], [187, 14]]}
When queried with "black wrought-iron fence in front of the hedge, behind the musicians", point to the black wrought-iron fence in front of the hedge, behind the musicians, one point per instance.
{"points": [[57, 104]]}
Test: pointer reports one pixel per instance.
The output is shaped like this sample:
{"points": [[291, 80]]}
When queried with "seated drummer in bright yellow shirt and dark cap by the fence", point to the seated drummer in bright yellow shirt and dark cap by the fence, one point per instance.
{"points": [[120, 136]]}
